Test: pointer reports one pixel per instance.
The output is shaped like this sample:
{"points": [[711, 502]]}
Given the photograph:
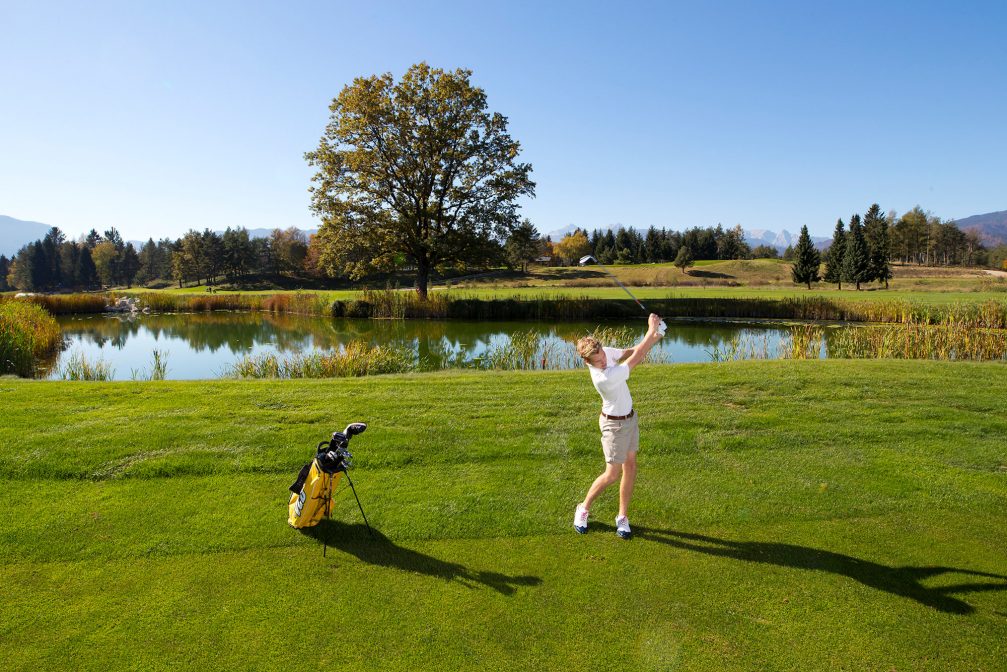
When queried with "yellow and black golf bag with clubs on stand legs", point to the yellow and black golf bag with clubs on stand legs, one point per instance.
{"points": [[312, 494]]}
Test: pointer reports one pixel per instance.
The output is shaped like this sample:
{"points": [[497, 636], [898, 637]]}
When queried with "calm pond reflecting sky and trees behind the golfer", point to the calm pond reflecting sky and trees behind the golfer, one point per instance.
{"points": [[201, 346]]}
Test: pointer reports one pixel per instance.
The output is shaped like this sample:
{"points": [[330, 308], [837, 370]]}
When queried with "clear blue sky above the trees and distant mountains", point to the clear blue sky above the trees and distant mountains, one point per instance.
{"points": [[161, 117]]}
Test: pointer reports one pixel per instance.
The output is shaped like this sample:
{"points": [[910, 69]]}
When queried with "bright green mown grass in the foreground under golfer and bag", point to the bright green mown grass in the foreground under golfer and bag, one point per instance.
{"points": [[789, 515]]}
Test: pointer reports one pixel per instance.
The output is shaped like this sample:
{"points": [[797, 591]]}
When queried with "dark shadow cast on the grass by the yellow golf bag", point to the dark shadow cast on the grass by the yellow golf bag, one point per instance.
{"points": [[382, 552]]}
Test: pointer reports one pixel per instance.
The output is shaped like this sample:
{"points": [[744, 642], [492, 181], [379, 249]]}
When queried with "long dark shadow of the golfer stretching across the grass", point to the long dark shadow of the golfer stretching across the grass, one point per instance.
{"points": [[903, 582]]}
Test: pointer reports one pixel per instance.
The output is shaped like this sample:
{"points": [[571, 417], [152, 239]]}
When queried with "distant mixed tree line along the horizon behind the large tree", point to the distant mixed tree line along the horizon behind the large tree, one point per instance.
{"points": [[861, 252]]}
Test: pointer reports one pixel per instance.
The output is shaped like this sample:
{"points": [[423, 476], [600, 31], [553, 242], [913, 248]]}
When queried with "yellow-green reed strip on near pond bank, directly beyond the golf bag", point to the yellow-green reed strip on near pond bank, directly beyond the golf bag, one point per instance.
{"points": [[357, 359]]}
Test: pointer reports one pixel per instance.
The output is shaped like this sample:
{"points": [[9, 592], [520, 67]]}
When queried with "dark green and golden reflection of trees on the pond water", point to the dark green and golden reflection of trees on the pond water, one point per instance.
{"points": [[437, 344]]}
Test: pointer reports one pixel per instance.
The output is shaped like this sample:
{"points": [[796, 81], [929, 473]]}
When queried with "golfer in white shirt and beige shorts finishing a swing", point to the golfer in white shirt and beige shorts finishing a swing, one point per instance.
{"points": [[620, 425]]}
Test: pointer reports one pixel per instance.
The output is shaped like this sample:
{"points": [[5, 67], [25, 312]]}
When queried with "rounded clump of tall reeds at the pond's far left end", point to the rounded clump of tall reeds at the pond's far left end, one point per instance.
{"points": [[29, 336]]}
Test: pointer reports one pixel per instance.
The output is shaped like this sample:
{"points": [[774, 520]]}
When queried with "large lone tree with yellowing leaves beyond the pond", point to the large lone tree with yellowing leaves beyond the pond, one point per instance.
{"points": [[415, 171]]}
